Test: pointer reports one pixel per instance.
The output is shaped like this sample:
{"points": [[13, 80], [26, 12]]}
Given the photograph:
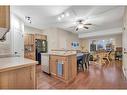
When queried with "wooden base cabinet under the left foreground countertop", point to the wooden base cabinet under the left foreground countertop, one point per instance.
{"points": [[20, 78]]}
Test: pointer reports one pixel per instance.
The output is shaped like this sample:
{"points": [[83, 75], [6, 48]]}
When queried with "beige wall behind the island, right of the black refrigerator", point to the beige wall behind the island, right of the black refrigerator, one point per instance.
{"points": [[59, 39]]}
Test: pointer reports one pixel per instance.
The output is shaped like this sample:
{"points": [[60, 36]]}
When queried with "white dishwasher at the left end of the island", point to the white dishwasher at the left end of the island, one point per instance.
{"points": [[45, 62]]}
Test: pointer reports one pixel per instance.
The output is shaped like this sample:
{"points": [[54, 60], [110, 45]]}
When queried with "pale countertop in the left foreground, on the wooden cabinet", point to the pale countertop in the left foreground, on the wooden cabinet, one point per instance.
{"points": [[14, 63]]}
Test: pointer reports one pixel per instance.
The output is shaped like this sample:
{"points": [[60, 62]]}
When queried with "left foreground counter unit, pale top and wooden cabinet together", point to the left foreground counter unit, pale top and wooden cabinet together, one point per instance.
{"points": [[17, 73]]}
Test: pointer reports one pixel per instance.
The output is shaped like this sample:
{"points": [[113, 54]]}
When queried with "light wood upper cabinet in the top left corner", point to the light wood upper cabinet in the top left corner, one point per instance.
{"points": [[4, 16]]}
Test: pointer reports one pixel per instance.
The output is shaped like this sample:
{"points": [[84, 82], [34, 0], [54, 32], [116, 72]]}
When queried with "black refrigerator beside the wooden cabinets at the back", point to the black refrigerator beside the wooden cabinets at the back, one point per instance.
{"points": [[41, 47]]}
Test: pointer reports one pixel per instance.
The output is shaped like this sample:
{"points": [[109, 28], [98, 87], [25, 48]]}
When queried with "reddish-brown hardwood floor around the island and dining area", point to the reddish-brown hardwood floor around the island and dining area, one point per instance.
{"points": [[96, 77]]}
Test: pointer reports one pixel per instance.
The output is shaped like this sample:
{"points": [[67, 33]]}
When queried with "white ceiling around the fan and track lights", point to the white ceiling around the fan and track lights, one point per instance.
{"points": [[102, 17]]}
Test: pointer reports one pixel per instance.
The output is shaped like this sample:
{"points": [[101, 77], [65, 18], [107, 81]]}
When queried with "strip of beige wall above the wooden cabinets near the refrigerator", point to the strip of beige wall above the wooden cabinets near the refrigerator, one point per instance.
{"points": [[31, 30]]}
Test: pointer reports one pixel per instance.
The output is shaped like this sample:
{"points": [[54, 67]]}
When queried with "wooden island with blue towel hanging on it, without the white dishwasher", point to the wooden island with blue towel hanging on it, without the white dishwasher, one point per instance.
{"points": [[63, 66]]}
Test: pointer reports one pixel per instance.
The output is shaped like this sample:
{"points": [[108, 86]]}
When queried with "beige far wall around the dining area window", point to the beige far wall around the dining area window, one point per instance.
{"points": [[84, 42]]}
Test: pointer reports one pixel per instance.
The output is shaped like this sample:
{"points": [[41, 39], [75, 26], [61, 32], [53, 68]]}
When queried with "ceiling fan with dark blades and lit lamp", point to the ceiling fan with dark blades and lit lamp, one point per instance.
{"points": [[82, 25]]}
